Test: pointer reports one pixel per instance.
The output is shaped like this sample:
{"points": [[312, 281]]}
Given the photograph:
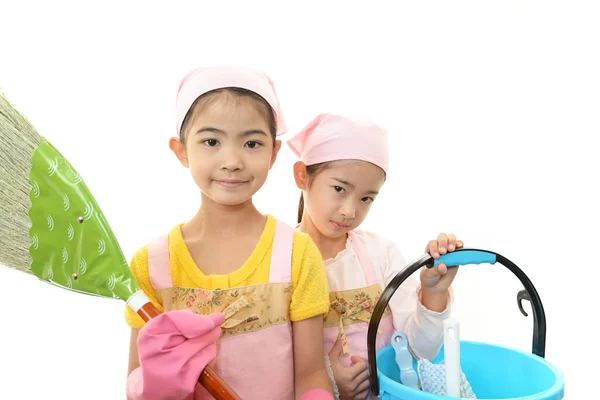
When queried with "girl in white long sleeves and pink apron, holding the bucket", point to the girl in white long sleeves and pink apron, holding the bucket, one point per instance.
{"points": [[343, 164]]}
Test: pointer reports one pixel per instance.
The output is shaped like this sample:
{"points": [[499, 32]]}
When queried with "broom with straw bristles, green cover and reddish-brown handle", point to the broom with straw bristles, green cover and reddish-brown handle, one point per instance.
{"points": [[52, 227]]}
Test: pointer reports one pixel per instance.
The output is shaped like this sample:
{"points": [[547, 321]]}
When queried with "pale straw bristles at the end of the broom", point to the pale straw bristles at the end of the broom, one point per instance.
{"points": [[18, 140]]}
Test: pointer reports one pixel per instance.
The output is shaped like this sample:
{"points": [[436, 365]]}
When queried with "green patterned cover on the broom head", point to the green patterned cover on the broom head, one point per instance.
{"points": [[72, 244]]}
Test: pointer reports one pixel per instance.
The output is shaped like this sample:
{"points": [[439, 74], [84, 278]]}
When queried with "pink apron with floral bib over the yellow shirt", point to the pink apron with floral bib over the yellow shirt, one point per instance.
{"points": [[255, 355]]}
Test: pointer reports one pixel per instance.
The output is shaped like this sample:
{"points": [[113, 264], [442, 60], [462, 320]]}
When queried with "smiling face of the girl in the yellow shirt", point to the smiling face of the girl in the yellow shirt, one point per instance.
{"points": [[228, 149]]}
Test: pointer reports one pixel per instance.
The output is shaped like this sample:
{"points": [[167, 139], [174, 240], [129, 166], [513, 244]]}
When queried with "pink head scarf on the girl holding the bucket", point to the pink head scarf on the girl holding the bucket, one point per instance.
{"points": [[331, 137]]}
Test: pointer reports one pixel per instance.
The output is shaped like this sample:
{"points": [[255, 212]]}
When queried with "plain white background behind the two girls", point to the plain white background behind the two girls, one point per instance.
{"points": [[492, 109]]}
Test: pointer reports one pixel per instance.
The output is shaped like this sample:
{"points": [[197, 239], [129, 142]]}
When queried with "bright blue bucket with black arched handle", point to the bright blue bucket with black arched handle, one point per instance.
{"points": [[494, 372]]}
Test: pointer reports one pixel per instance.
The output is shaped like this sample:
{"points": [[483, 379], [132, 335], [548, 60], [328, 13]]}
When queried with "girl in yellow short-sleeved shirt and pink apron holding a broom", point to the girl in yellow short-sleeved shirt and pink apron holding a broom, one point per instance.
{"points": [[238, 290]]}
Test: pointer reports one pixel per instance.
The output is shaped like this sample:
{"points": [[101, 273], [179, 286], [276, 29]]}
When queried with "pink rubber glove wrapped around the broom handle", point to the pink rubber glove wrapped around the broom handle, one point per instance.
{"points": [[174, 348]]}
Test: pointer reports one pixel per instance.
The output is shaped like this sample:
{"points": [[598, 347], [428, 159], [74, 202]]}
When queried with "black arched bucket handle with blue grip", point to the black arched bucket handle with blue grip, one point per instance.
{"points": [[456, 258]]}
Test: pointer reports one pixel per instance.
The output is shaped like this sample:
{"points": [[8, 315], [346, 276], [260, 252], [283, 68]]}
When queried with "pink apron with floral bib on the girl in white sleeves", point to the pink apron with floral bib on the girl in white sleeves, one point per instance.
{"points": [[350, 312]]}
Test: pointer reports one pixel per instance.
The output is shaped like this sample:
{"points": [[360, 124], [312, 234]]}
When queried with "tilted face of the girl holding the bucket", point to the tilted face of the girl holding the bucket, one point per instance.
{"points": [[339, 197]]}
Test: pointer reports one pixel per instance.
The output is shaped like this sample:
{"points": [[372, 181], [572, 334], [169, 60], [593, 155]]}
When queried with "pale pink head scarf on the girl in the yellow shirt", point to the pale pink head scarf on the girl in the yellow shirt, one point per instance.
{"points": [[203, 80]]}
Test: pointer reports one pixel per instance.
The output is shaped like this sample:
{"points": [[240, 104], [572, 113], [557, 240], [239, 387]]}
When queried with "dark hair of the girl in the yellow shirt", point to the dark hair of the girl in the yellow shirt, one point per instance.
{"points": [[238, 94]]}
